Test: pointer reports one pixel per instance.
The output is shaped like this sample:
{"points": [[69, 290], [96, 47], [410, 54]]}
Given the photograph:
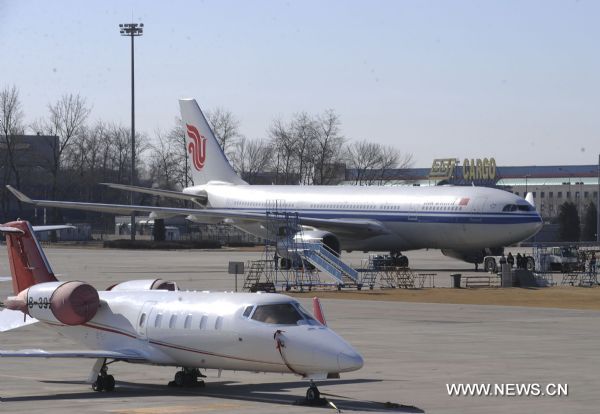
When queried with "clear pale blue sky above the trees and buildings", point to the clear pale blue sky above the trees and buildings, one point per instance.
{"points": [[517, 80]]}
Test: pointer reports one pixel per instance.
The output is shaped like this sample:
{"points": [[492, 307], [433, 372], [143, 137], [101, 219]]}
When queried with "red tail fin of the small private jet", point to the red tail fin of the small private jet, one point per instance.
{"points": [[28, 263]]}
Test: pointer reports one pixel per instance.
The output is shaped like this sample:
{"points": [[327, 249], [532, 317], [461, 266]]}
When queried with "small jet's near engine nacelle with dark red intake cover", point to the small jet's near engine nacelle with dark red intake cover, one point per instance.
{"points": [[70, 303]]}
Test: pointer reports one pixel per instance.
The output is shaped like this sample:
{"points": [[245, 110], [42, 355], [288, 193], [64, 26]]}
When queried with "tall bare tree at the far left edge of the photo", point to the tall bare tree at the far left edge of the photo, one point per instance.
{"points": [[11, 124]]}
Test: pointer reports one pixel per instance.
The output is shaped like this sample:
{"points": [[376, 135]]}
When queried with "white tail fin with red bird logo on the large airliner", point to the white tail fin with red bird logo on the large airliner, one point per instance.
{"points": [[207, 160]]}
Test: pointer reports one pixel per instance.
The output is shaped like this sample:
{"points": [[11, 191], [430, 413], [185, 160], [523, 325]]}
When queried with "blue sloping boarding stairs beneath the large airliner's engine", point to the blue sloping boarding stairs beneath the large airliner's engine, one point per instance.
{"points": [[324, 259]]}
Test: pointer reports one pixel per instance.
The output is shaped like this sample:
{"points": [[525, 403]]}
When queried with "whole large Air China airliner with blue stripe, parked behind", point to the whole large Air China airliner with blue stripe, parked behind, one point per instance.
{"points": [[465, 222]]}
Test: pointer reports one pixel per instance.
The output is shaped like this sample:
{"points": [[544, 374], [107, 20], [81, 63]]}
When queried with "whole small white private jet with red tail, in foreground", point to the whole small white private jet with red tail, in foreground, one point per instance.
{"points": [[152, 322]]}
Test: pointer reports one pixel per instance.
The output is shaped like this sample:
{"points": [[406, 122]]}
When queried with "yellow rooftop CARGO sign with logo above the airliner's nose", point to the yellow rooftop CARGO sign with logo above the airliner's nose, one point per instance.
{"points": [[474, 169]]}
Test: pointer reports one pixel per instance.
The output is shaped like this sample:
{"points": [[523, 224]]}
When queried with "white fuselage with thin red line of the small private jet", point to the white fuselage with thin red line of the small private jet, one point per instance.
{"points": [[210, 330]]}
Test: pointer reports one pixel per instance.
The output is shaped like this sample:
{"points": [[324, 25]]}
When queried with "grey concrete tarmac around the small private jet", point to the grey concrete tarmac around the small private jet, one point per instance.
{"points": [[412, 351]]}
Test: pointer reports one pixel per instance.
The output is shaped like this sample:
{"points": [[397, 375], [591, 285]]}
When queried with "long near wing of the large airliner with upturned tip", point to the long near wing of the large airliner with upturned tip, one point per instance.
{"points": [[362, 227]]}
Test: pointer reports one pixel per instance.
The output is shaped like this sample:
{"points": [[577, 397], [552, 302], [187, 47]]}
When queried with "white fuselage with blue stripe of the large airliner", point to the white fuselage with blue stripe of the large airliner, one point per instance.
{"points": [[445, 217]]}
